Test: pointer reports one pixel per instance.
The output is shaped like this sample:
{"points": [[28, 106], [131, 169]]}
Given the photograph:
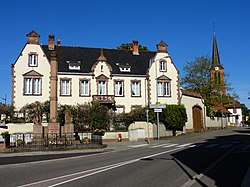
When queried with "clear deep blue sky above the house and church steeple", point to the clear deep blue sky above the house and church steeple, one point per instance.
{"points": [[187, 27]]}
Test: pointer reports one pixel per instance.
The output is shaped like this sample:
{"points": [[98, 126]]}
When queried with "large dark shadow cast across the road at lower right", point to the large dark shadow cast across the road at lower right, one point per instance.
{"points": [[223, 160]]}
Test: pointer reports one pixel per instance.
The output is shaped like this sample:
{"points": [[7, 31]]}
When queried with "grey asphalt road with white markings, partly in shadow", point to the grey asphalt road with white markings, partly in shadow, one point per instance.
{"points": [[214, 158]]}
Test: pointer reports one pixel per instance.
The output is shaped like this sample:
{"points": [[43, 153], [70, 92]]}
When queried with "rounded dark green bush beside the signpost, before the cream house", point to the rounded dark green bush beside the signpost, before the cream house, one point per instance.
{"points": [[175, 117]]}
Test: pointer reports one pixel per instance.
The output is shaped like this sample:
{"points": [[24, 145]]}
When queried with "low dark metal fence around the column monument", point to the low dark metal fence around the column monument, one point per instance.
{"points": [[51, 140]]}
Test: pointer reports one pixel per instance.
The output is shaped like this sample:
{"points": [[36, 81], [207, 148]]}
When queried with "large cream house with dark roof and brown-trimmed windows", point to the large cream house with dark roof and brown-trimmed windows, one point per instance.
{"points": [[121, 79]]}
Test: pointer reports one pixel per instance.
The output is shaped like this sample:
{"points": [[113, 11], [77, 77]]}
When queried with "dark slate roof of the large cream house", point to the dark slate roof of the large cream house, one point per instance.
{"points": [[88, 57]]}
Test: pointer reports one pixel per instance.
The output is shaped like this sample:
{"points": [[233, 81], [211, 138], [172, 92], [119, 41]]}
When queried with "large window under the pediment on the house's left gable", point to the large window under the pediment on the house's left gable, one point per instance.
{"points": [[32, 86]]}
